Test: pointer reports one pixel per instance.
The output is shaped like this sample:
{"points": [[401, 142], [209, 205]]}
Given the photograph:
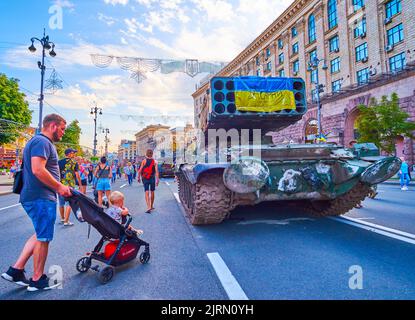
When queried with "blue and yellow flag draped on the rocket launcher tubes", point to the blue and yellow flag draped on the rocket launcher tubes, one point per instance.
{"points": [[258, 94]]}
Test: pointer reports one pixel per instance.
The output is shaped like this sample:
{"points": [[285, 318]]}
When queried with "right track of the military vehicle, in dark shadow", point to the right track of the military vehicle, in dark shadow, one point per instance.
{"points": [[340, 205]]}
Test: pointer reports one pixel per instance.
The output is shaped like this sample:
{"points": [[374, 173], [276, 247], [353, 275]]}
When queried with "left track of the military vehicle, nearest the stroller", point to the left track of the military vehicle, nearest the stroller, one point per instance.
{"points": [[208, 201]]}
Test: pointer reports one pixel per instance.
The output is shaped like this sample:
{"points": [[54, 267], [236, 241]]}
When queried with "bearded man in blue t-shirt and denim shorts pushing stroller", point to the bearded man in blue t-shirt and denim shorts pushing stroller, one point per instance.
{"points": [[38, 197]]}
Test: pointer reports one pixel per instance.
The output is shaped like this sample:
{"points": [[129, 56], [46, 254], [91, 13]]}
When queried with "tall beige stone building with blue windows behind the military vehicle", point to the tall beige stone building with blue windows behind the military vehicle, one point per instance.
{"points": [[366, 48]]}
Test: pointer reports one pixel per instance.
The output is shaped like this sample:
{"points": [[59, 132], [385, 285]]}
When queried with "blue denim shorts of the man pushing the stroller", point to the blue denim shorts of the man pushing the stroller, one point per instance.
{"points": [[43, 215]]}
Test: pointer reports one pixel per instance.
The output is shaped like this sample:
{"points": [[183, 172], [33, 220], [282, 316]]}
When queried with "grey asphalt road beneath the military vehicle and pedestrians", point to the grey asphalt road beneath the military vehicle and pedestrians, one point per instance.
{"points": [[273, 251]]}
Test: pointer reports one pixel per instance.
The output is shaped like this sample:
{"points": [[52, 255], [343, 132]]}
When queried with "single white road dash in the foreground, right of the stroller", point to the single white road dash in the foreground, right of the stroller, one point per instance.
{"points": [[228, 281]]}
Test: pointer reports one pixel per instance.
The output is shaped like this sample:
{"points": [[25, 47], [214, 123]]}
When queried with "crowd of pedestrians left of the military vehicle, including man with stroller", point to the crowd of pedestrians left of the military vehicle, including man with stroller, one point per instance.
{"points": [[46, 181]]}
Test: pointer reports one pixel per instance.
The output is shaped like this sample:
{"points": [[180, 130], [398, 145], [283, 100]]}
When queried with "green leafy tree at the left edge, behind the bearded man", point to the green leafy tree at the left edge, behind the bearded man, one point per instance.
{"points": [[14, 110]]}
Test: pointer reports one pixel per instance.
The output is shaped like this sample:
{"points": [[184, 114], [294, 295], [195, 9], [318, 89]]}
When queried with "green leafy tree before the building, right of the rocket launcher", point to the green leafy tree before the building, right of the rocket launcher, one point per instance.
{"points": [[382, 122]]}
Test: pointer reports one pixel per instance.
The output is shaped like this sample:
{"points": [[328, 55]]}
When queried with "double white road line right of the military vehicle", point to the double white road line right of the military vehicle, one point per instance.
{"points": [[388, 232]]}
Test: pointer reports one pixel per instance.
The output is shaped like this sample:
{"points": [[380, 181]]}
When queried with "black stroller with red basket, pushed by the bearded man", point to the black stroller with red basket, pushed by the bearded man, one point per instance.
{"points": [[122, 244]]}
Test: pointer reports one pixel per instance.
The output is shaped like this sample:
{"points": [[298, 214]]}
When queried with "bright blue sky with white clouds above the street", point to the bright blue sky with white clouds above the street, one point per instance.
{"points": [[207, 30]]}
